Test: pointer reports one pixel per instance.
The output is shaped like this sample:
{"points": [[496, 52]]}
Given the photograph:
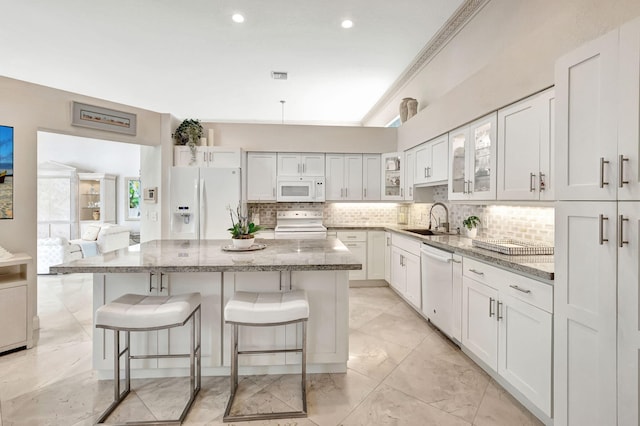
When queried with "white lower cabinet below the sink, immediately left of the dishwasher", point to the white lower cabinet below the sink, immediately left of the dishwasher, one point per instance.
{"points": [[405, 269]]}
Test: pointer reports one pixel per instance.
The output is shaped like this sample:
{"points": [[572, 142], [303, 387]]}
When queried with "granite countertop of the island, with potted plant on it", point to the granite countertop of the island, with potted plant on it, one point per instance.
{"points": [[208, 256]]}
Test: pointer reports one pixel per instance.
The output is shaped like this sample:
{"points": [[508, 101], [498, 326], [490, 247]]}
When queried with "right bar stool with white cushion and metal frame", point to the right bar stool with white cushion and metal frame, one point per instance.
{"points": [[266, 309]]}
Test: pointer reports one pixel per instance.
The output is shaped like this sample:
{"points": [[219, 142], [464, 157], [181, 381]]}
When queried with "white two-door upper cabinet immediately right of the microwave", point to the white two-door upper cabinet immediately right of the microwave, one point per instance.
{"points": [[344, 177]]}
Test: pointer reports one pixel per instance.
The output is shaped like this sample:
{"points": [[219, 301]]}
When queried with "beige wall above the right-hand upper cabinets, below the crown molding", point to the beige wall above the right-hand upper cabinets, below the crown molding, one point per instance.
{"points": [[506, 52]]}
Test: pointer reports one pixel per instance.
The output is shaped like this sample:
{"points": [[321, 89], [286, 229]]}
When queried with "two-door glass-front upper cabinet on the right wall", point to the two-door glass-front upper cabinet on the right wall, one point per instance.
{"points": [[472, 156]]}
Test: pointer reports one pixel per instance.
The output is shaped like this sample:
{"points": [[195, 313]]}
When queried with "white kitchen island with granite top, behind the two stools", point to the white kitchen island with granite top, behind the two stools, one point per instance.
{"points": [[166, 267]]}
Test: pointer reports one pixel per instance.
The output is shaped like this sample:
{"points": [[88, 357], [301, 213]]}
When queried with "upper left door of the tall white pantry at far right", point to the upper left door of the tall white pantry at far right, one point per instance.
{"points": [[586, 133]]}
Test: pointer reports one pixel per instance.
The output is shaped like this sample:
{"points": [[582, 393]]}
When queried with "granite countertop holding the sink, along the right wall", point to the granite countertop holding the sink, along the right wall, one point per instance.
{"points": [[541, 266]]}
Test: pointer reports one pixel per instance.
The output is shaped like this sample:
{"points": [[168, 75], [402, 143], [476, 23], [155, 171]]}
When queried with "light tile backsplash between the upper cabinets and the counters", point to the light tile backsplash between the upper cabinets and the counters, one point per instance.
{"points": [[526, 223]]}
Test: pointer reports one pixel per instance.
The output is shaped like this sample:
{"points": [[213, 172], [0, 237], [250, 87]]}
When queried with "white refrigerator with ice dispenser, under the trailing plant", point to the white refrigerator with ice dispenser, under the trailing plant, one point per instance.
{"points": [[200, 198]]}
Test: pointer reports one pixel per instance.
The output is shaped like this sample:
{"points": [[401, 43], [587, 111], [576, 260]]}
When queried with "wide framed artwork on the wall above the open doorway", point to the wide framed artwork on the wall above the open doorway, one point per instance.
{"points": [[94, 117]]}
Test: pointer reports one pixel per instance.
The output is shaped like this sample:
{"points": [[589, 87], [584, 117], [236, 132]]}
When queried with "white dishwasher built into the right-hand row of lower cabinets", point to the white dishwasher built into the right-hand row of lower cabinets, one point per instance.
{"points": [[437, 287]]}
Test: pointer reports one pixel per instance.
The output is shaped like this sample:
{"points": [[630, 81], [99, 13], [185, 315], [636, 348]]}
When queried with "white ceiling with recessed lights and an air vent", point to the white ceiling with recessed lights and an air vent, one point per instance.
{"points": [[188, 57]]}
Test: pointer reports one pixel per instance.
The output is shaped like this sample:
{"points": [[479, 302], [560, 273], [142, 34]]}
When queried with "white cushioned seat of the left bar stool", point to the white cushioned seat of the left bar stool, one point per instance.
{"points": [[134, 311]]}
